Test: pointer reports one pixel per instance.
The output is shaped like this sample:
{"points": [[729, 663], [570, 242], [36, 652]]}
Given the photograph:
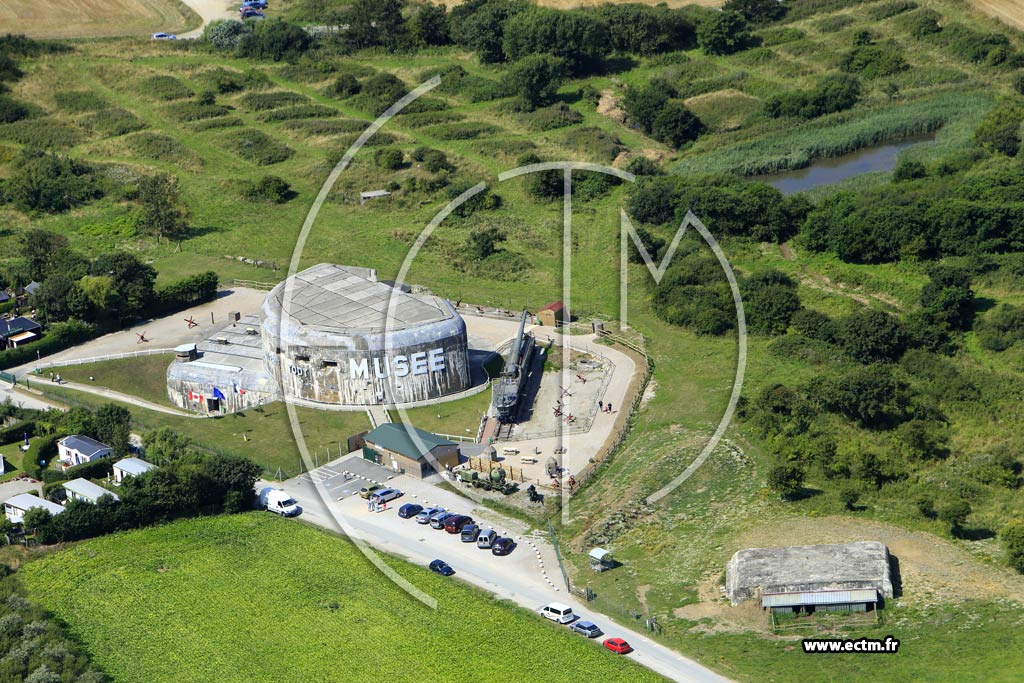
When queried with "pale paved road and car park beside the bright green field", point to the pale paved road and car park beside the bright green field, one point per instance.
{"points": [[530, 576]]}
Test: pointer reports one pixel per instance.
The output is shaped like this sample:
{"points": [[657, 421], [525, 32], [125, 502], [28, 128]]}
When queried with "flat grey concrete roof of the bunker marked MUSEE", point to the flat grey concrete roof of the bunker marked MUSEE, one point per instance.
{"points": [[352, 300]]}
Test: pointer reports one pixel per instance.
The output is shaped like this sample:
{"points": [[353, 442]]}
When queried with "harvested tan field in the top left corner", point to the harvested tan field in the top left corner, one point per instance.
{"points": [[94, 19]]}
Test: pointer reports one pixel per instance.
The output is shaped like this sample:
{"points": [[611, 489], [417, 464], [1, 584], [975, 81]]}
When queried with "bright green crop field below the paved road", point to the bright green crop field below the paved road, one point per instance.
{"points": [[220, 590]]}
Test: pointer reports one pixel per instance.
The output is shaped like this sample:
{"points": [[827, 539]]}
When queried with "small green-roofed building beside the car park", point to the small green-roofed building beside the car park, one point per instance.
{"points": [[410, 451]]}
